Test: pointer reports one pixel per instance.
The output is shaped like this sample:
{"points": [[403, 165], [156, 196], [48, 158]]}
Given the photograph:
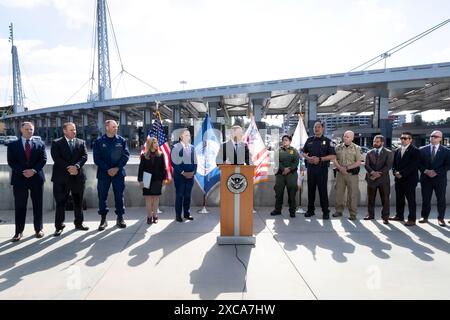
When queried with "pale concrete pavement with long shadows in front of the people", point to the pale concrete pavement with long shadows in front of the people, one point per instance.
{"points": [[301, 258]]}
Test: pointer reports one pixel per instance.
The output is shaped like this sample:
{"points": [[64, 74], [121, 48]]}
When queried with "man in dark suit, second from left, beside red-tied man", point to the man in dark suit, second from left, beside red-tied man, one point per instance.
{"points": [[69, 155]]}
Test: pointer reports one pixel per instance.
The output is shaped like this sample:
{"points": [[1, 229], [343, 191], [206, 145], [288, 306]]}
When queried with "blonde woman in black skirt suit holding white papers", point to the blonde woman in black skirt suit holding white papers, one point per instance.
{"points": [[152, 172]]}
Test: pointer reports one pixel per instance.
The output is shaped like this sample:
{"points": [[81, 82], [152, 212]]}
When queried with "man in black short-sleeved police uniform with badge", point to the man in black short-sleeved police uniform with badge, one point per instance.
{"points": [[318, 152]]}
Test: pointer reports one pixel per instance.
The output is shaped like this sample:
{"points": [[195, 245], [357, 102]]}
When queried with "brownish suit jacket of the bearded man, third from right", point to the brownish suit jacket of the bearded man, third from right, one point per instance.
{"points": [[383, 164]]}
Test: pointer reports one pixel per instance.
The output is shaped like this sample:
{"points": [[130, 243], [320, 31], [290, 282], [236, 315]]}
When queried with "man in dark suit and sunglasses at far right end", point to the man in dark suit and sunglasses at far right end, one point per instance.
{"points": [[433, 166]]}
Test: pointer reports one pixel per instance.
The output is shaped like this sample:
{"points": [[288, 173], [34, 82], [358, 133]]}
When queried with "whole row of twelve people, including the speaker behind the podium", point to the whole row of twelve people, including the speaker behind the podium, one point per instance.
{"points": [[27, 158]]}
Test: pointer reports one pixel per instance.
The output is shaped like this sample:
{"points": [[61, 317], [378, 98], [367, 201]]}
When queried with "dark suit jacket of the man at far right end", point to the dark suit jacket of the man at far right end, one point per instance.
{"points": [[440, 165]]}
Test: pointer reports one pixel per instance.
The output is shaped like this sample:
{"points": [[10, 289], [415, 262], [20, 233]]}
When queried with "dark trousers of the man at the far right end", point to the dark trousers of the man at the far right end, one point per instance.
{"points": [[439, 187]]}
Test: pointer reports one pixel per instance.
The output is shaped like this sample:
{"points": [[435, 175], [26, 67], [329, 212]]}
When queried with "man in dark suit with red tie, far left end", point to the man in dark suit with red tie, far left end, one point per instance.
{"points": [[27, 158]]}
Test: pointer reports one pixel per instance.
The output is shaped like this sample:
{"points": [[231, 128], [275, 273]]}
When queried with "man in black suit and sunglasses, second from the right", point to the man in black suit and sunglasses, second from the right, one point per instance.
{"points": [[406, 172]]}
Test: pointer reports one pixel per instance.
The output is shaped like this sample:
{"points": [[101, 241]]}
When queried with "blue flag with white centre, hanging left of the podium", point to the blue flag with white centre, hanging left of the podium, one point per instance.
{"points": [[207, 146]]}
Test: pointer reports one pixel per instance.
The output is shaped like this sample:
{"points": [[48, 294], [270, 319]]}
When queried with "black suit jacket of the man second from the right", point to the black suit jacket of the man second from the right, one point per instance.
{"points": [[408, 166]]}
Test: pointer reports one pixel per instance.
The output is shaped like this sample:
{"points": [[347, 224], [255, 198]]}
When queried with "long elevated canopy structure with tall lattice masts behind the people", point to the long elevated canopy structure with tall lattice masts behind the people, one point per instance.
{"points": [[382, 92]]}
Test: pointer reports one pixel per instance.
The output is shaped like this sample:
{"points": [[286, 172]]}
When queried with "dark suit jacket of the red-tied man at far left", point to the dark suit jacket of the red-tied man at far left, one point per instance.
{"points": [[18, 163]]}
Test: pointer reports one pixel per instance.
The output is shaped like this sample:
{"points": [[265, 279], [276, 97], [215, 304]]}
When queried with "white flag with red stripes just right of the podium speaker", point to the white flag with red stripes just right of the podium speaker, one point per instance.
{"points": [[258, 152]]}
